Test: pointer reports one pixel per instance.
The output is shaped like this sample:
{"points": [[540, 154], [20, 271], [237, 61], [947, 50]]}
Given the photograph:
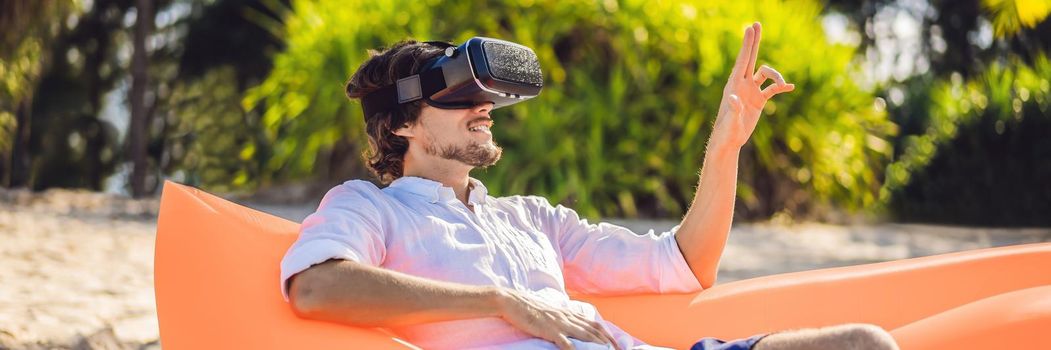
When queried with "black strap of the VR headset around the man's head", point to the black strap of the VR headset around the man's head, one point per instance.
{"points": [[405, 91]]}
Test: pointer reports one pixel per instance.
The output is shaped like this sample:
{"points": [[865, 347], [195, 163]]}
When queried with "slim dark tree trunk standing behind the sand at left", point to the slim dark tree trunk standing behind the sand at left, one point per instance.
{"points": [[138, 133]]}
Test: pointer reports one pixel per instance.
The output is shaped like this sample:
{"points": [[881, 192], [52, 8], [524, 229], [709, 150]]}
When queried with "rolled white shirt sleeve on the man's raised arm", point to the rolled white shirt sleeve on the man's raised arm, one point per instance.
{"points": [[606, 259]]}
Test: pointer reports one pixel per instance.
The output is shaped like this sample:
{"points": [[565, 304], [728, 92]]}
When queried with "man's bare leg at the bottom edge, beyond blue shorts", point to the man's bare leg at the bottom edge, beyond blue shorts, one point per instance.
{"points": [[850, 337]]}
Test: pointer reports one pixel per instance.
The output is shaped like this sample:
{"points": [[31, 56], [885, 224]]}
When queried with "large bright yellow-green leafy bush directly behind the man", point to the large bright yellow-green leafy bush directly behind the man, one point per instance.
{"points": [[632, 89]]}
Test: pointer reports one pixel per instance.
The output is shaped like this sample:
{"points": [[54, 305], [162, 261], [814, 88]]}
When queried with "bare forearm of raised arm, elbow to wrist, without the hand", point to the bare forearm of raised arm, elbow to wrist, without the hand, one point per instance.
{"points": [[703, 235]]}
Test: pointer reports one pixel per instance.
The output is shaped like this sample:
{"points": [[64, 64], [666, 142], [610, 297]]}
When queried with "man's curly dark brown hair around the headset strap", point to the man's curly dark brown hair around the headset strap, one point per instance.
{"points": [[386, 153]]}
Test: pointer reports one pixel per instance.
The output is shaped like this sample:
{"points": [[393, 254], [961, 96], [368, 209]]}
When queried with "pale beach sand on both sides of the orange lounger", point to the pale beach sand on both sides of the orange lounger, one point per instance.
{"points": [[76, 267]]}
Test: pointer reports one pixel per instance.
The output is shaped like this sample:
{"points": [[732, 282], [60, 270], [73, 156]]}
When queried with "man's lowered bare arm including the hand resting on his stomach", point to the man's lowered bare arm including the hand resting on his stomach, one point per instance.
{"points": [[363, 296]]}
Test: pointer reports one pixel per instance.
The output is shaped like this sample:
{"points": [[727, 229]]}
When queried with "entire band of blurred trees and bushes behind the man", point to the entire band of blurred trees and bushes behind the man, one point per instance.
{"points": [[915, 111]]}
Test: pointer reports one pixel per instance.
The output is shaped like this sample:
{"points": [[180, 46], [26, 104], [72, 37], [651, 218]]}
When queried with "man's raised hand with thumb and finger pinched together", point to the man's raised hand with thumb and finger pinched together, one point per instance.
{"points": [[744, 97]]}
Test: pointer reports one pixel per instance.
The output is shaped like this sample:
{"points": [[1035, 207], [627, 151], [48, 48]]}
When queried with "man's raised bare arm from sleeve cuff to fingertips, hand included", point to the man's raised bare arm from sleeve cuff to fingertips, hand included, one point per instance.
{"points": [[703, 235]]}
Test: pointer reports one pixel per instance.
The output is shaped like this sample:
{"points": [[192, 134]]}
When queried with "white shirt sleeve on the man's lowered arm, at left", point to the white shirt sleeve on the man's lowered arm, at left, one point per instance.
{"points": [[347, 225]]}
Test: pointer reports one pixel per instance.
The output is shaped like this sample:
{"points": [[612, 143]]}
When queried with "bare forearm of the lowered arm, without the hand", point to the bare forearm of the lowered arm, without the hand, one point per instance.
{"points": [[359, 295]]}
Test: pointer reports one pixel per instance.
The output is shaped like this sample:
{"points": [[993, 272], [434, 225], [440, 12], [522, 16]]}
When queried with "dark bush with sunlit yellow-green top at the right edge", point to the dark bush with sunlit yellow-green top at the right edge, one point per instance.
{"points": [[983, 156]]}
